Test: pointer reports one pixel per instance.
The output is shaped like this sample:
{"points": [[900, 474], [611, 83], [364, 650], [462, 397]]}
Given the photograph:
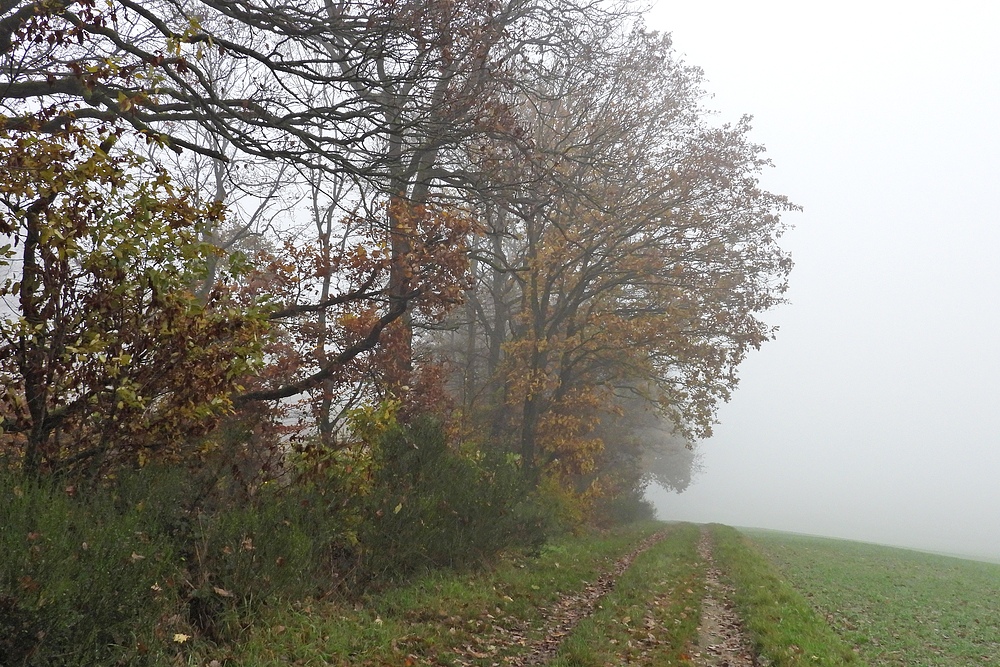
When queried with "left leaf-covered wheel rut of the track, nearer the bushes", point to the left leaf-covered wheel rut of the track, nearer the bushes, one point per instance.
{"points": [[571, 609]]}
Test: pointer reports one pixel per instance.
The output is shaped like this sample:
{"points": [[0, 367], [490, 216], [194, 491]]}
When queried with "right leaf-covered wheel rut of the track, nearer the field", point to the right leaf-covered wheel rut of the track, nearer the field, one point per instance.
{"points": [[721, 640]]}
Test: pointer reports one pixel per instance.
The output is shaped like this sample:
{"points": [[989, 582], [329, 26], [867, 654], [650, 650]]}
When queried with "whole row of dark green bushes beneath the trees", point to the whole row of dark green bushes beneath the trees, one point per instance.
{"points": [[109, 575]]}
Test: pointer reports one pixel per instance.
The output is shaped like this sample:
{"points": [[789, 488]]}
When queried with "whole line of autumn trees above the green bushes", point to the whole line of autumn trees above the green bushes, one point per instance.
{"points": [[265, 233]]}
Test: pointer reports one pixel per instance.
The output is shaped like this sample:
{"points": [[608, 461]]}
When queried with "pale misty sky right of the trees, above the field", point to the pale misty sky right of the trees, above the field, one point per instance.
{"points": [[875, 415]]}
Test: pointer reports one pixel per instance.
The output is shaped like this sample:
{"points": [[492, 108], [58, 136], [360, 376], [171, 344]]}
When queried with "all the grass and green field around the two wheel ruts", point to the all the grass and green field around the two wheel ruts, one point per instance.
{"points": [[804, 601]]}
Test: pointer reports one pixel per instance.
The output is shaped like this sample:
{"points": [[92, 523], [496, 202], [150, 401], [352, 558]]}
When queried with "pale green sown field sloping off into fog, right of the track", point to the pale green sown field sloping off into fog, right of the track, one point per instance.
{"points": [[899, 607]]}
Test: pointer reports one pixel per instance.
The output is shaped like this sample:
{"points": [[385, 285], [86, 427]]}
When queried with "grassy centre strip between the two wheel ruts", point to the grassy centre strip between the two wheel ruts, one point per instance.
{"points": [[651, 617]]}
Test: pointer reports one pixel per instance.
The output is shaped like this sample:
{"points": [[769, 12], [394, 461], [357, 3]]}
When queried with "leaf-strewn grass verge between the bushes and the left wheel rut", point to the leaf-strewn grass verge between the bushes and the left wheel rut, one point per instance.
{"points": [[442, 619]]}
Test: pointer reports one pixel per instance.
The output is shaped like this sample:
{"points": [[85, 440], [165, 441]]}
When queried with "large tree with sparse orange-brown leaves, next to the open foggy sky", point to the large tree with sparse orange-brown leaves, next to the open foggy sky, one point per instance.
{"points": [[633, 255]]}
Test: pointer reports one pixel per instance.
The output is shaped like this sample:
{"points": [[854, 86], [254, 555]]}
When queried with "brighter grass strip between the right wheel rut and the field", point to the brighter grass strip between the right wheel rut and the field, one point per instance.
{"points": [[782, 623]]}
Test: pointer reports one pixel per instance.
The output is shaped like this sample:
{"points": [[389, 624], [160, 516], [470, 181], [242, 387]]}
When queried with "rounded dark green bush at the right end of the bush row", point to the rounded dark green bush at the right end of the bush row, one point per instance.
{"points": [[431, 506]]}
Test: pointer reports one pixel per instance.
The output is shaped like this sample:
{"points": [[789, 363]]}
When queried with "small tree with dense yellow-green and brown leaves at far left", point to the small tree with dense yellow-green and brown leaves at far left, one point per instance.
{"points": [[112, 360]]}
